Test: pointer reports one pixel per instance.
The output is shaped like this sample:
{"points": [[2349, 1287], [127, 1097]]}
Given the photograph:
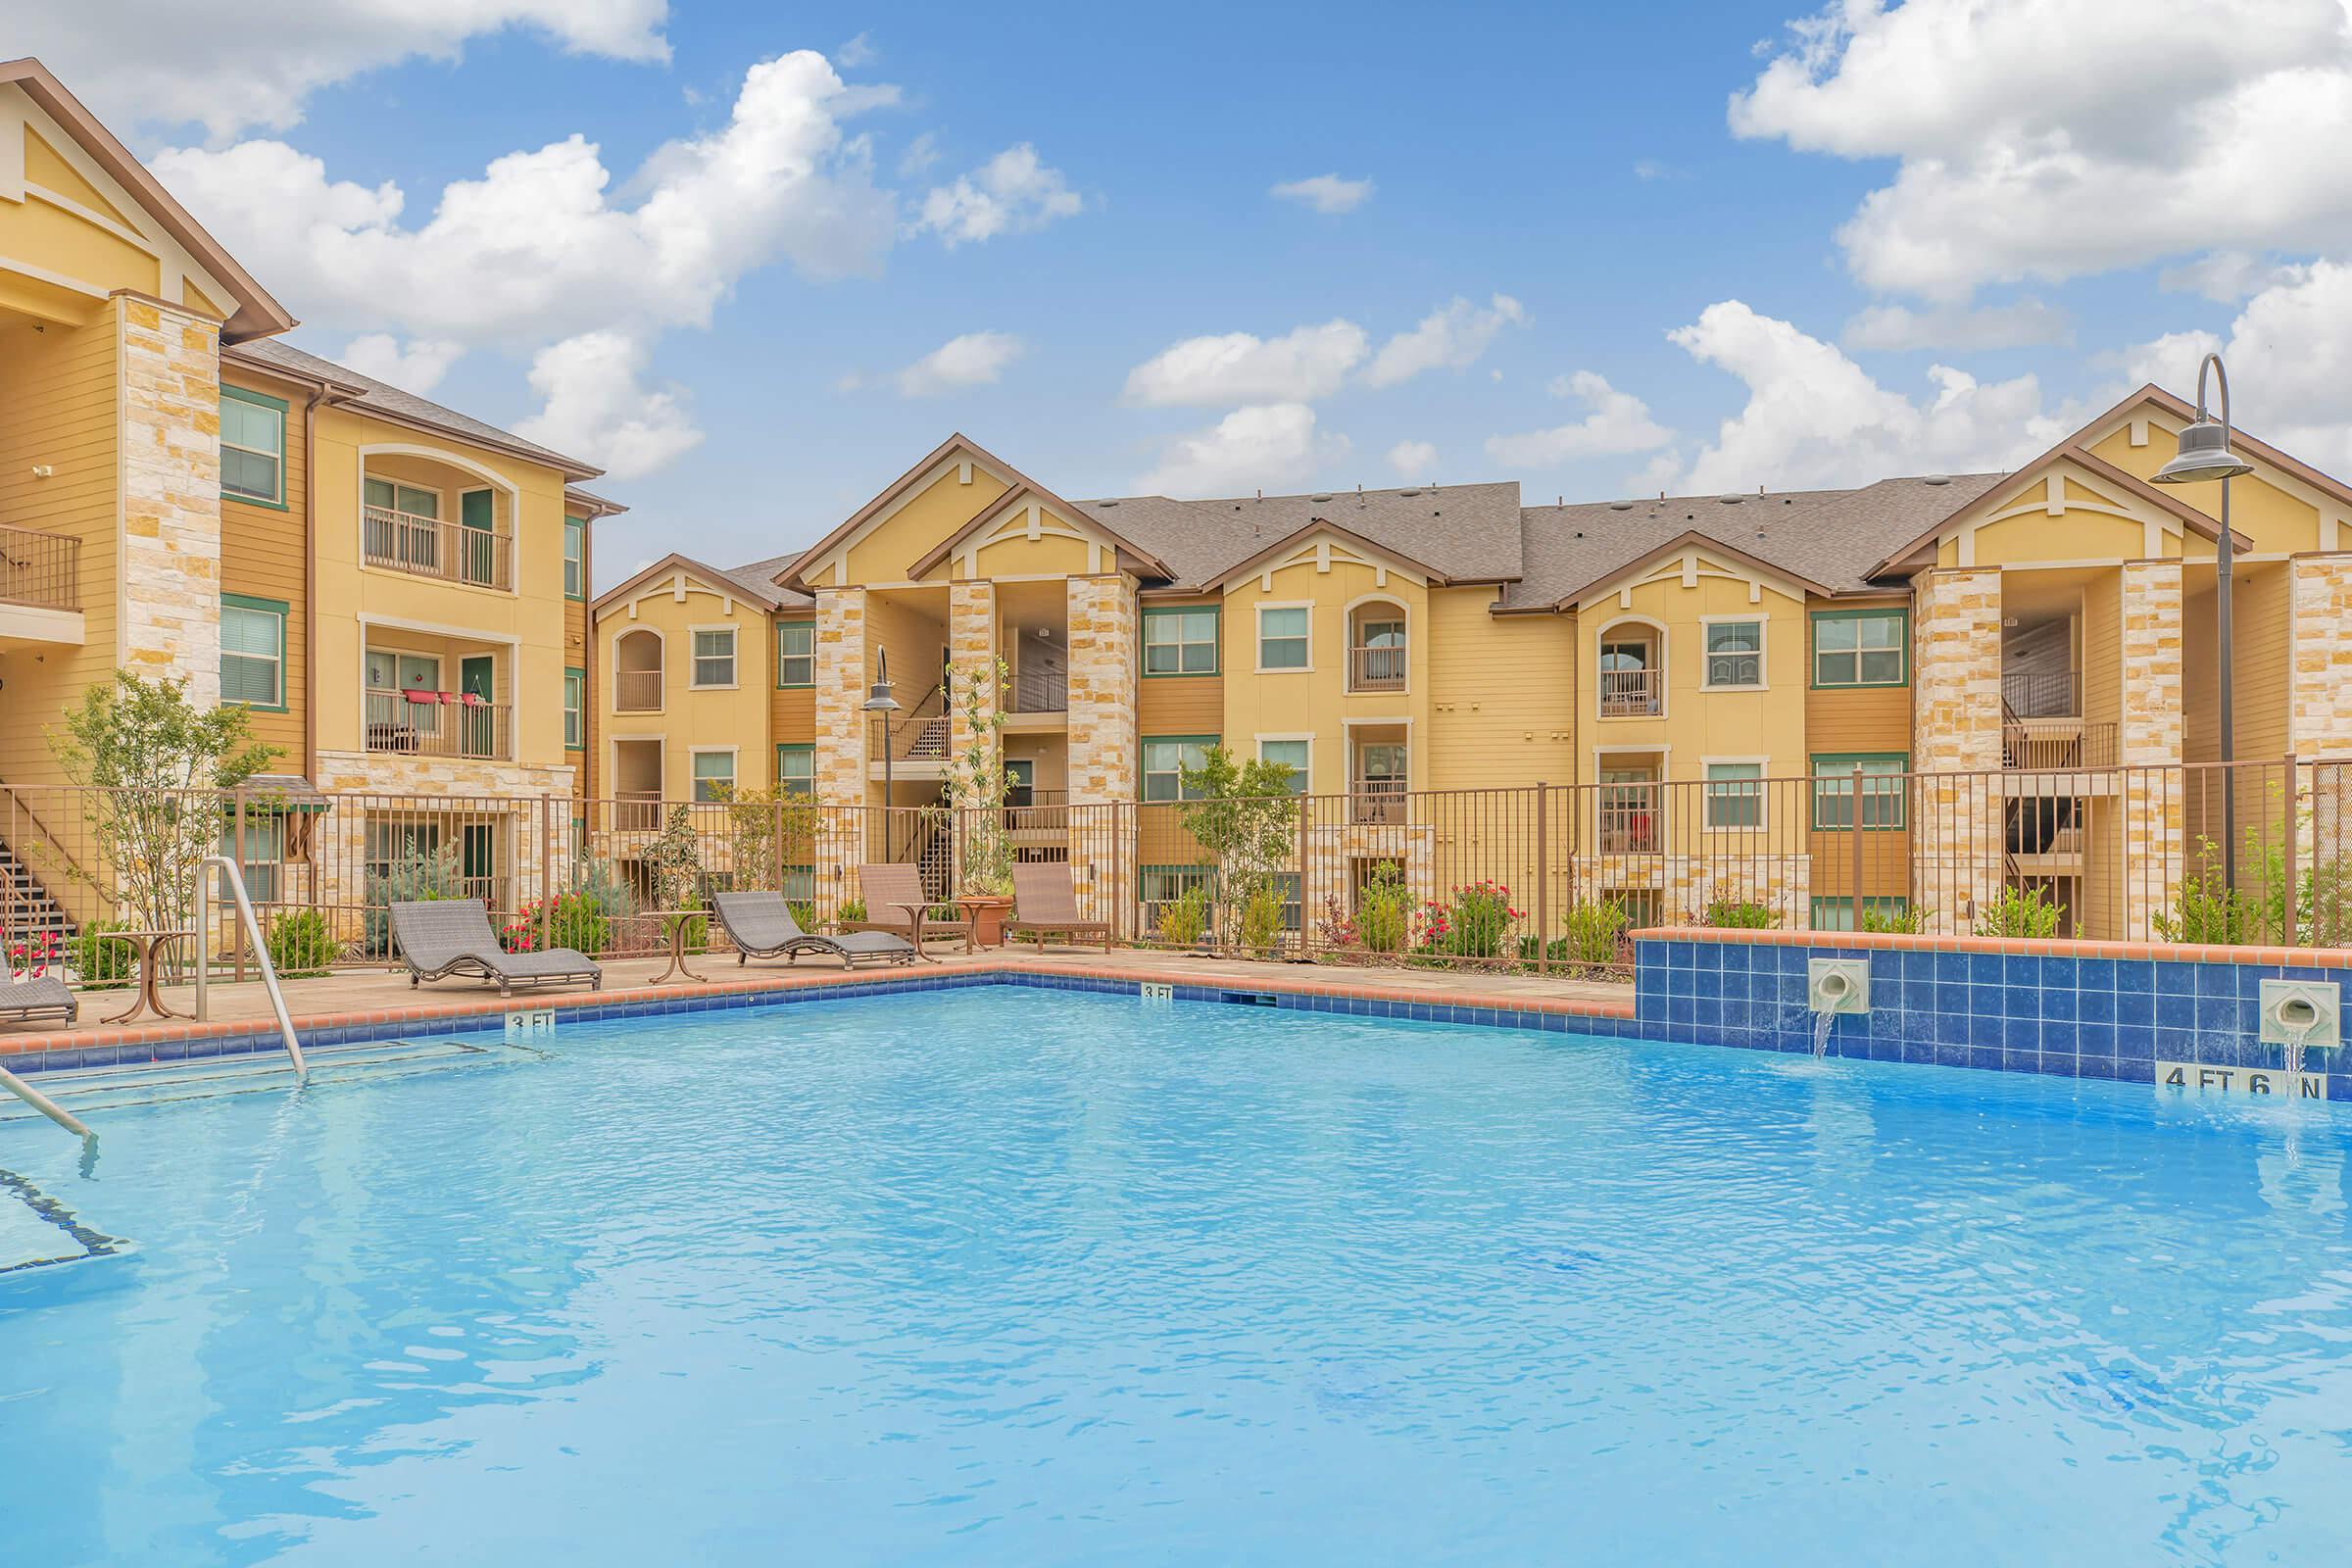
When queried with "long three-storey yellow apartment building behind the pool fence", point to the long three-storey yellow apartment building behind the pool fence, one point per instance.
{"points": [[2026, 638]]}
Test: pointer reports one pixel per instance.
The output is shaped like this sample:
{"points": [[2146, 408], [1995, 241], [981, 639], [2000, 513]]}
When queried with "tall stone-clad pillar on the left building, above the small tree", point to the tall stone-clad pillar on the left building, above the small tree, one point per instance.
{"points": [[171, 464]]}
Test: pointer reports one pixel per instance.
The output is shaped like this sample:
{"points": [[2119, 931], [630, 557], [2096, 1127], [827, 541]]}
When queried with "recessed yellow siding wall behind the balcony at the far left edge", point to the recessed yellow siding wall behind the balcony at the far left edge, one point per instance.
{"points": [[58, 410]]}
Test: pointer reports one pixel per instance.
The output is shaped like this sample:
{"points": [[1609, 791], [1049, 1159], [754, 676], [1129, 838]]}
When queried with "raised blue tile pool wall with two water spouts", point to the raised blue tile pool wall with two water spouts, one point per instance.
{"points": [[2083, 1019]]}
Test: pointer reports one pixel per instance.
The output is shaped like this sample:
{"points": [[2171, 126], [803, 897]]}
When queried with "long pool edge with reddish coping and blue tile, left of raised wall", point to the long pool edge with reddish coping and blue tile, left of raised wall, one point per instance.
{"points": [[187, 1040]]}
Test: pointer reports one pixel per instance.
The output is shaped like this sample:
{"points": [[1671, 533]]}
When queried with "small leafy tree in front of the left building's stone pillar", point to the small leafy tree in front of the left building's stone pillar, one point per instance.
{"points": [[152, 768]]}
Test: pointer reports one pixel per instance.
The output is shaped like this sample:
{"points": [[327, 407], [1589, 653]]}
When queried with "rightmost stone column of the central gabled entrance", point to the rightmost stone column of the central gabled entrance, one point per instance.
{"points": [[1104, 728]]}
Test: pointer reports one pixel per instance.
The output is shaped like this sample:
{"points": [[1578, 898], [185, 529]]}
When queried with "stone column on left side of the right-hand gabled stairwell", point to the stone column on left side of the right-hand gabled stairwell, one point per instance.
{"points": [[1958, 838]]}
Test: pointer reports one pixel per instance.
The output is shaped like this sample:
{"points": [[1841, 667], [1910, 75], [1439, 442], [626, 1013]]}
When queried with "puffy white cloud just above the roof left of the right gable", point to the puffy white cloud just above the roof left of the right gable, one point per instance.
{"points": [[1817, 420]]}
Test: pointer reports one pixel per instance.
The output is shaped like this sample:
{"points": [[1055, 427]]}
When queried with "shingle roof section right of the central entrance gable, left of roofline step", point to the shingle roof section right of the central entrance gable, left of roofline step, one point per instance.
{"points": [[1466, 532]]}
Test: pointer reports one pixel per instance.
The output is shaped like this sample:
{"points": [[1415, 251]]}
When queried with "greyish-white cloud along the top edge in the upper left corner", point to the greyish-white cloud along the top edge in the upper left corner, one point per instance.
{"points": [[166, 62]]}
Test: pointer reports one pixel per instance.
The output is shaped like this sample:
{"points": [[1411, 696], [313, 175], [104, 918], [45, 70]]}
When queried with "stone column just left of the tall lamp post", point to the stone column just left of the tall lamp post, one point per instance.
{"points": [[2151, 737]]}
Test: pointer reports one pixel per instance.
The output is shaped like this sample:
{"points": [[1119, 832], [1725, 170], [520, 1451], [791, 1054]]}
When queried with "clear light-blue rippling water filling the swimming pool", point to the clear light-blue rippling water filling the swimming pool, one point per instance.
{"points": [[1041, 1278]]}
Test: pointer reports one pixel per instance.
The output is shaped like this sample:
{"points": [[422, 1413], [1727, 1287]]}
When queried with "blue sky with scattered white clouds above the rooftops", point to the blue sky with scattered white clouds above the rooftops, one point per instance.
{"points": [[756, 262]]}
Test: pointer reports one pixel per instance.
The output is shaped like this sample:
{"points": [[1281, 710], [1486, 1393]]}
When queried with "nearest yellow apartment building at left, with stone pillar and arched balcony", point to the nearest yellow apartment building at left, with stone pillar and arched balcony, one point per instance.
{"points": [[394, 591]]}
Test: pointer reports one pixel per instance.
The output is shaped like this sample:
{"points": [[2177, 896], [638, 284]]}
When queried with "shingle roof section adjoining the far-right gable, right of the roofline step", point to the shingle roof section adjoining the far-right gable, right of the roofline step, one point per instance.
{"points": [[1826, 537]]}
